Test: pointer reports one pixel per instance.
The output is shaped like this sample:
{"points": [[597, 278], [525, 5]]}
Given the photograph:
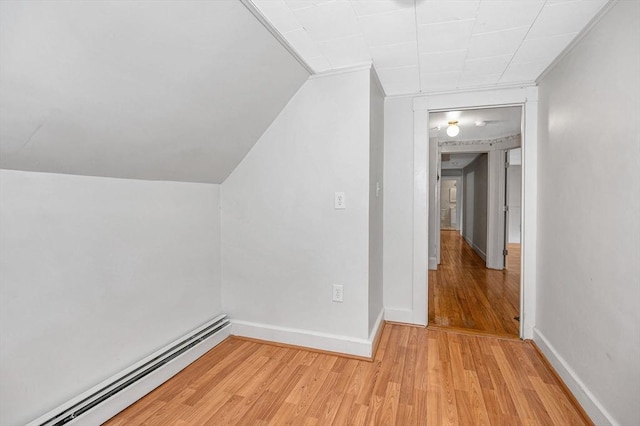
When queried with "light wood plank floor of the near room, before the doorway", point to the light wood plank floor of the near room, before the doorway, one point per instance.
{"points": [[418, 377]]}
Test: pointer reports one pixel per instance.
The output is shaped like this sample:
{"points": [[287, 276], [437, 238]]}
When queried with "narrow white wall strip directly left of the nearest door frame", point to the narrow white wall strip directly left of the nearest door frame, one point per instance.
{"points": [[398, 208]]}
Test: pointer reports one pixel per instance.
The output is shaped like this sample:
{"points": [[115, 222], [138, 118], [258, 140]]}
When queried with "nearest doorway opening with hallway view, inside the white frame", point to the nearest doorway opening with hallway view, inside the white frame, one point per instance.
{"points": [[474, 281]]}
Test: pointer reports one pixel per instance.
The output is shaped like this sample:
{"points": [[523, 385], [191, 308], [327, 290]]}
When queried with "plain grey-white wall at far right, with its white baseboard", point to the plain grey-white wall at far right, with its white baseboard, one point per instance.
{"points": [[589, 234]]}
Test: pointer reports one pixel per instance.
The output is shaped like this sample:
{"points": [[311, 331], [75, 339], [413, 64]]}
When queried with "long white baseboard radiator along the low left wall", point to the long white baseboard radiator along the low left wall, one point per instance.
{"points": [[116, 393]]}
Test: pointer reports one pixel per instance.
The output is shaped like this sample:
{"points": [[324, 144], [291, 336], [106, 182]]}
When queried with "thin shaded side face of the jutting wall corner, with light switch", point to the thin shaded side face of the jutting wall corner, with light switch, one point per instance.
{"points": [[376, 198]]}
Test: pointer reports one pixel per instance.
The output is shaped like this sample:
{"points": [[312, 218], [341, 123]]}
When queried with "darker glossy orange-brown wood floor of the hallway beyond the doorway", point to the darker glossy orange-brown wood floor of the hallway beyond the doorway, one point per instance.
{"points": [[464, 294]]}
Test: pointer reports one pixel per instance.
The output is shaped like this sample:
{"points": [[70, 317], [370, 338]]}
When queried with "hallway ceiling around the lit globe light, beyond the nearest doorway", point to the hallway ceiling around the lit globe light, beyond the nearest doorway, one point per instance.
{"points": [[477, 124]]}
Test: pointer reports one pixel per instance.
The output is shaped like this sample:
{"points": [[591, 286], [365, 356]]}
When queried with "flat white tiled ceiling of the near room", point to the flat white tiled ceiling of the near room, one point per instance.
{"points": [[432, 45]]}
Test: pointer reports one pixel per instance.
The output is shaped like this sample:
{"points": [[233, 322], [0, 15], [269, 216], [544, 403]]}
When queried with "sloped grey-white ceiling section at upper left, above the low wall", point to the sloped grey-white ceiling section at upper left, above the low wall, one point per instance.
{"points": [[162, 90]]}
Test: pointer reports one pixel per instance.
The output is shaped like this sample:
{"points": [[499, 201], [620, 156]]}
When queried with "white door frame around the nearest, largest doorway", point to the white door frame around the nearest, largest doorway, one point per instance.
{"points": [[527, 97]]}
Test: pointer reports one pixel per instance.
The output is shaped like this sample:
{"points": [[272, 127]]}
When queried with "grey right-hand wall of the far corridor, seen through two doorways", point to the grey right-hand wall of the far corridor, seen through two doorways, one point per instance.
{"points": [[475, 201]]}
